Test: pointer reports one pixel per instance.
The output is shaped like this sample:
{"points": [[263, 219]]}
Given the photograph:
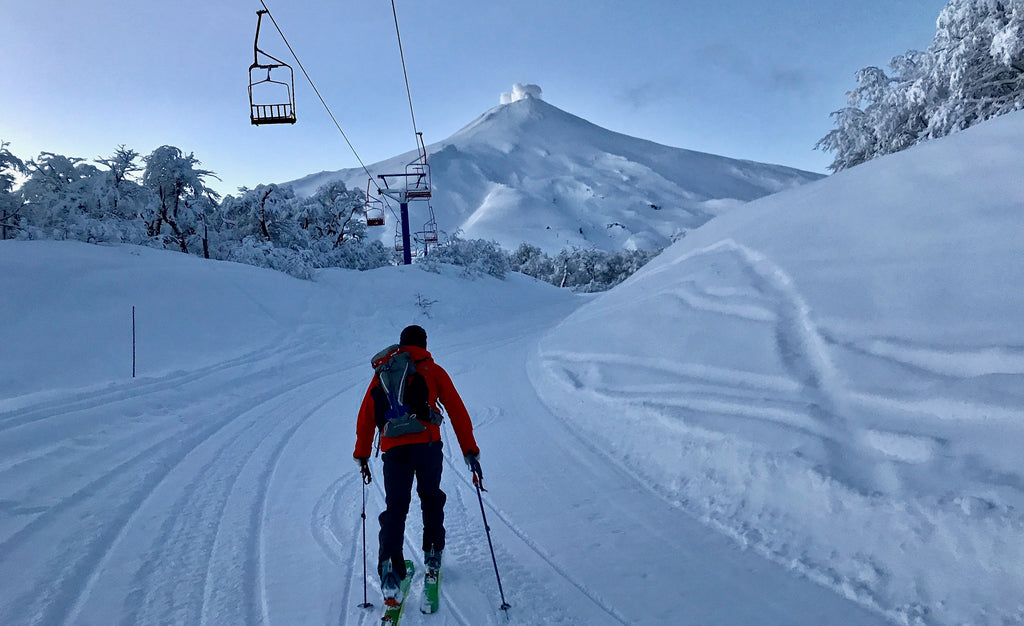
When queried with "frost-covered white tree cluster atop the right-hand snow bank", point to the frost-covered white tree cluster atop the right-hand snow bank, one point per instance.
{"points": [[973, 71]]}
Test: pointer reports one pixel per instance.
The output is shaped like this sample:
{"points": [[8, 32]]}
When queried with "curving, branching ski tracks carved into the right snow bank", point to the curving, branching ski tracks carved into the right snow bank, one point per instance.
{"points": [[812, 402]]}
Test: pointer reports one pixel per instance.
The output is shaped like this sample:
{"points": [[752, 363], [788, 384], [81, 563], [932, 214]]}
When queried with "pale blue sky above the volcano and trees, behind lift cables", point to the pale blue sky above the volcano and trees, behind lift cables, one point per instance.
{"points": [[743, 79]]}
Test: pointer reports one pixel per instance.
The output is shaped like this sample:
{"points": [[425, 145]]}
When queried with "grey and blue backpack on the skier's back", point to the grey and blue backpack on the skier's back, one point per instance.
{"points": [[402, 398]]}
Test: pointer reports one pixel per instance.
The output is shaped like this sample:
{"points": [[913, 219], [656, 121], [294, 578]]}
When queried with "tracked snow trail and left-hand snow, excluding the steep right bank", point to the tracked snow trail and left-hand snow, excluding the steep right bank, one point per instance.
{"points": [[218, 488]]}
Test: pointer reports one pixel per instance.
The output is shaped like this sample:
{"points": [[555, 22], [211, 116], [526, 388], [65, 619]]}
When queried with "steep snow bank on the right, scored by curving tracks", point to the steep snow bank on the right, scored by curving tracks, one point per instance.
{"points": [[836, 375]]}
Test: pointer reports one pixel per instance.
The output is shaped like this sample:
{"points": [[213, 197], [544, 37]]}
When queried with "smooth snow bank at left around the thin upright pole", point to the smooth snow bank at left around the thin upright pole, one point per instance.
{"points": [[71, 324]]}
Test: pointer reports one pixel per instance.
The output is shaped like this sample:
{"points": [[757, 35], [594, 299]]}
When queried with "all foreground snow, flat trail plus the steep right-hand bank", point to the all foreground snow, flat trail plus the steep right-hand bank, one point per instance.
{"points": [[808, 411]]}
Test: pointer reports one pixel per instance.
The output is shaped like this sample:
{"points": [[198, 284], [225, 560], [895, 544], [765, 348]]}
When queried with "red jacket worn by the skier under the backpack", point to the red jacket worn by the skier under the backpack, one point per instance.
{"points": [[441, 390]]}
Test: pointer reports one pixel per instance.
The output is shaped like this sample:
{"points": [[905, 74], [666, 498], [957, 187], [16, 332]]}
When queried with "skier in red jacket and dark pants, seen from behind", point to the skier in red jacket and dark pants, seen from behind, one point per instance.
{"points": [[416, 454]]}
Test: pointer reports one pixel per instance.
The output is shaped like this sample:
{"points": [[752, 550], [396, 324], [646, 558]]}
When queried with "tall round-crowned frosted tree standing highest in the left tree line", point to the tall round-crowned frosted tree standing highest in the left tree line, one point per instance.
{"points": [[175, 180]]}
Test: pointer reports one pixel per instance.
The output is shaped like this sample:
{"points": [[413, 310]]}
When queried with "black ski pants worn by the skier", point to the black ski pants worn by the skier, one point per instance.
{"points": [[402, 465]]}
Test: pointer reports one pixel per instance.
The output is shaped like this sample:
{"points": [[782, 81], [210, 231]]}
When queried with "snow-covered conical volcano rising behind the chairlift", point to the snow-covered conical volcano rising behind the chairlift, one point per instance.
{"points": [[528, 172]]}
